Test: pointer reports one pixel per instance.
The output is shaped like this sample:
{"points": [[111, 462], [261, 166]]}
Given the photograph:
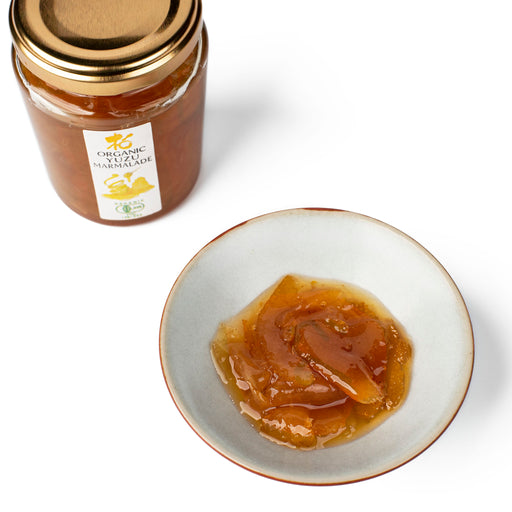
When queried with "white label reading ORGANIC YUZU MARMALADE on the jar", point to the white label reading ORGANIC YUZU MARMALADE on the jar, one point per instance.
{"points": [[124, 174]]}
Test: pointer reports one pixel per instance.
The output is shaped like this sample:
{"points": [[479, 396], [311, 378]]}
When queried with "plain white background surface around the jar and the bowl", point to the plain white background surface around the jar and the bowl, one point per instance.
{"points": [[401, 110]]}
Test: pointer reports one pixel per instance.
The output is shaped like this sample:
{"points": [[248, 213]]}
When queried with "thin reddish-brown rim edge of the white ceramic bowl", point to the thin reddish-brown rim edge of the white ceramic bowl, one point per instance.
{"points": [[371, 475]]}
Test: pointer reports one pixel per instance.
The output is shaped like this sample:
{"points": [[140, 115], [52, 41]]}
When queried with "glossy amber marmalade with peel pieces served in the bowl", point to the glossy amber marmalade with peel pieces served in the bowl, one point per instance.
{"points": [[313, 363]]}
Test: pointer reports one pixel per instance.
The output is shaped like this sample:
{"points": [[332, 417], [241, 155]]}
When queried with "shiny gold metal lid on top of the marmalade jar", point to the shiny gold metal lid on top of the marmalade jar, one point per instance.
{"points": [[104, 47]]}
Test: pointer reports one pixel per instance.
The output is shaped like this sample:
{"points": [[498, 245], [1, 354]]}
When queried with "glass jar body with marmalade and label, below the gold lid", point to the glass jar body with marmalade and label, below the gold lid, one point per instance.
{"points": [[90, 148]]}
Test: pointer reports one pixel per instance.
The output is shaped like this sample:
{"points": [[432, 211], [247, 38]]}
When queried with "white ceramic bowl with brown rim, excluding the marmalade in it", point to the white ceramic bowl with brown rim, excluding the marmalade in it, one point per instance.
{"points": [[229, 272]]}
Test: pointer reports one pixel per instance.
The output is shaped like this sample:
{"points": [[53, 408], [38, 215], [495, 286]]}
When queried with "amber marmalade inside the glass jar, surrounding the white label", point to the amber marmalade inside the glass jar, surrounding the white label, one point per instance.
{"points": [[174, 106]]}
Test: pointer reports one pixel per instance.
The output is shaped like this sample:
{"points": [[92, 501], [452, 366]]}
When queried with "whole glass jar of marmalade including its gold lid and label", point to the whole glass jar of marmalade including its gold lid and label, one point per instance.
{"points": [[115, 92]]}
